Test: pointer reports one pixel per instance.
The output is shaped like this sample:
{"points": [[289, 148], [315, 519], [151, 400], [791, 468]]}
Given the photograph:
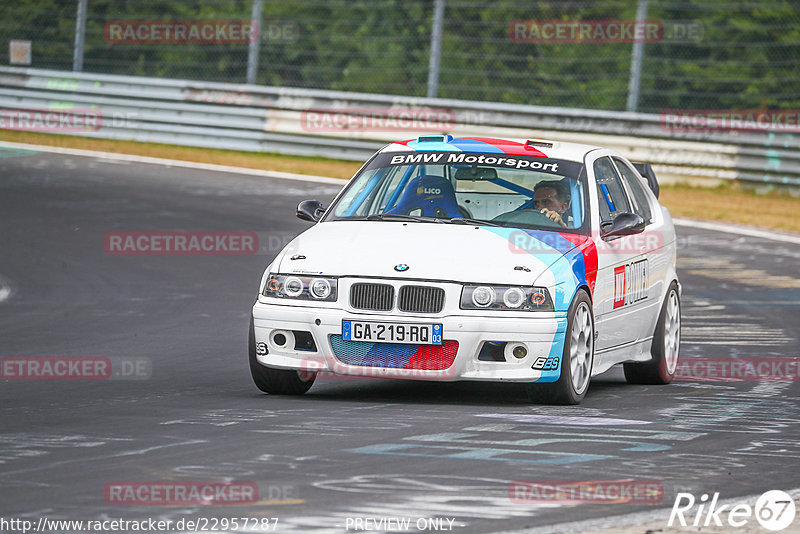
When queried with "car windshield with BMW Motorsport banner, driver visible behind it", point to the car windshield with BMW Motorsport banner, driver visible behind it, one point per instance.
{"points": [[467, 188]]}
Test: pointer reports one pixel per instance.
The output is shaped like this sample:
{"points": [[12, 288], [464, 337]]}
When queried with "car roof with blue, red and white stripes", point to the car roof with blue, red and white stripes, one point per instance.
{"points": [[492, 145]]}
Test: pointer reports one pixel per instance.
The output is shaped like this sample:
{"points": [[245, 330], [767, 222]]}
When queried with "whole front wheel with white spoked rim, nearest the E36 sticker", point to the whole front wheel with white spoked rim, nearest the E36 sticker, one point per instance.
{"points": [[576, 360]]}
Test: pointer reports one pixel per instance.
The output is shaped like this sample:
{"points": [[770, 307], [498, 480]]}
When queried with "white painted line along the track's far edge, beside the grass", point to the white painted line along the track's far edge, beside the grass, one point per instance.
{"points": [[718, 227]]}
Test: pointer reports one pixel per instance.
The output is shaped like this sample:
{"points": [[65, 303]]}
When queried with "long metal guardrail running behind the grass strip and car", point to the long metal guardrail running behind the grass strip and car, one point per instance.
{"points": [[282, 120]]}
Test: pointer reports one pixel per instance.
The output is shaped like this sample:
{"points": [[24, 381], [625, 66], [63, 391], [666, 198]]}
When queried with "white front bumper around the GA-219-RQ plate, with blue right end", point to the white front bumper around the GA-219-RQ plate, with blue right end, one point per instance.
{"points": [[542, 333]]}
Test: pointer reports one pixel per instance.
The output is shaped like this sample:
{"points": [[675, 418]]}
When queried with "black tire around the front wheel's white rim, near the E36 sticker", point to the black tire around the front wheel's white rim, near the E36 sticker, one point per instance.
{"points": [[563, 391]]}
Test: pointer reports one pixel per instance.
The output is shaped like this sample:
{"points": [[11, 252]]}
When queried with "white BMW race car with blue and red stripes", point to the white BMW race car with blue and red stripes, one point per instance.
{"points": [[446, 258]]}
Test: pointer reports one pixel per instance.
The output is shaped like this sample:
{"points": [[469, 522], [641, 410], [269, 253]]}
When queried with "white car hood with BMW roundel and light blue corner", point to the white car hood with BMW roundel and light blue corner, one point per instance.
{"points": [[431, 251]]}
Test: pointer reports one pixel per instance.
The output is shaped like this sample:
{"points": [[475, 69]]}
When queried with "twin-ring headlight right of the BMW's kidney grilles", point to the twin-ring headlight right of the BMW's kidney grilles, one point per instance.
{"points": [[506, 298]]}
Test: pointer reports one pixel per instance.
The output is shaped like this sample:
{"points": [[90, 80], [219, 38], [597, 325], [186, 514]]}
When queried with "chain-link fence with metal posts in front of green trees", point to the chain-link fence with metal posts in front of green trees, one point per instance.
{"points": [[603, 54]]}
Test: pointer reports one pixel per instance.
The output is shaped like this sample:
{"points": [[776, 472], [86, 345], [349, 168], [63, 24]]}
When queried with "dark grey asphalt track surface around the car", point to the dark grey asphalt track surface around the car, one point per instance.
{"points": [[349, 448]]}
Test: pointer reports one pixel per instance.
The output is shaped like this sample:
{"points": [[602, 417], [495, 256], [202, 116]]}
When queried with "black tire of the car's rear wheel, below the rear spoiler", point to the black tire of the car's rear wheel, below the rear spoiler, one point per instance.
{"points": [[658, 370]]}
